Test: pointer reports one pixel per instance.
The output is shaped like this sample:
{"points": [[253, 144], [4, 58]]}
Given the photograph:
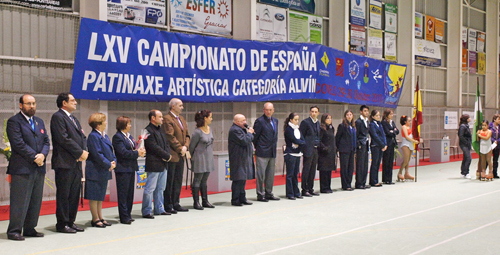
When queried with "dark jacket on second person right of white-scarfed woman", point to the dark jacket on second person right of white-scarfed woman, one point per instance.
{"points": [[327, 150]]}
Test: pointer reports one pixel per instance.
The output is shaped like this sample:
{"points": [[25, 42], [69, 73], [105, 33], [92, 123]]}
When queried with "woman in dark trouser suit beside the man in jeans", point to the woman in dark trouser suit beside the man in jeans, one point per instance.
{"points": [[126, 157]]}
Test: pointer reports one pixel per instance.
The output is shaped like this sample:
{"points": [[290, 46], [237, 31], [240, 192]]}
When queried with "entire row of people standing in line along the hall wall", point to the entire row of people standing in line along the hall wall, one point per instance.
{"points": [[167, 144]]}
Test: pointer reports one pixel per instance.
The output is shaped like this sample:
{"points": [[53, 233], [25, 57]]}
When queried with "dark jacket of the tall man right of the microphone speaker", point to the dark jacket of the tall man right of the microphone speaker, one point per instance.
{"points": [[265, 137]]}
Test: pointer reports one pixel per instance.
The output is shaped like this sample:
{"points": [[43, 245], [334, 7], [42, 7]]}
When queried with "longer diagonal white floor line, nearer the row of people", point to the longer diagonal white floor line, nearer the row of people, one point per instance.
{"points": [[378, 223]]}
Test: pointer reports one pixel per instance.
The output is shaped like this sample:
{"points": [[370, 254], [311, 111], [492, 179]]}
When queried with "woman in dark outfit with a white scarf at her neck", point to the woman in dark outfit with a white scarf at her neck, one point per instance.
{"points": [[294, 141]]}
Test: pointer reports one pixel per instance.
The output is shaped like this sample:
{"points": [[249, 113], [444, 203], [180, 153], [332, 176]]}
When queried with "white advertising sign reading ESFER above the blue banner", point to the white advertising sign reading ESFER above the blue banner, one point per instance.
{"points": [[214, 16]]}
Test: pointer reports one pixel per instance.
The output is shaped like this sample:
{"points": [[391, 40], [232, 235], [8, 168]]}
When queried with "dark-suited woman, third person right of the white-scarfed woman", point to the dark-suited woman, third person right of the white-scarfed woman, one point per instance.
{"points": [[346, 143]]}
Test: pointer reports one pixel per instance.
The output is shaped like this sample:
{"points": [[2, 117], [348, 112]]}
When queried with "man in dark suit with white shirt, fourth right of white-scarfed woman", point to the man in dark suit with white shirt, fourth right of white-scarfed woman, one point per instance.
{"points": [[362, 134]]}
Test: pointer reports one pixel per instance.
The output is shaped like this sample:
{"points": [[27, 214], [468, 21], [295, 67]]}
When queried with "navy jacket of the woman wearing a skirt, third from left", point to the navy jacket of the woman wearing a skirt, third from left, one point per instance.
{"points": [[100, 157]]}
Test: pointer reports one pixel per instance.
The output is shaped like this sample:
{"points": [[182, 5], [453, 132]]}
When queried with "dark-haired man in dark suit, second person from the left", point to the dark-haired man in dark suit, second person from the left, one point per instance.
{"points": [[69, 150]]}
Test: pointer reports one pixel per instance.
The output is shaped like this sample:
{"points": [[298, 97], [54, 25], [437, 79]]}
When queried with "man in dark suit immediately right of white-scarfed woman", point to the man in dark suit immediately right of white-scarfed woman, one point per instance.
{"points": [[309, 128]]}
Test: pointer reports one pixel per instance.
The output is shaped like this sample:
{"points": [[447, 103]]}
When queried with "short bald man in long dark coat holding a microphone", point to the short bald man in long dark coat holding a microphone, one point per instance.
{"points": [[240, 158]]}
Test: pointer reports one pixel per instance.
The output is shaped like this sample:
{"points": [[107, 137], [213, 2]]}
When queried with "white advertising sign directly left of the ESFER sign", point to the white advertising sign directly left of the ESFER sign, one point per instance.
{"points": [[145, 12]]}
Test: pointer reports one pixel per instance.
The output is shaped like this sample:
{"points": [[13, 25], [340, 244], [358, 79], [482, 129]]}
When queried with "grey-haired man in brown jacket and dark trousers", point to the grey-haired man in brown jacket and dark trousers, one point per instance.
{"points": [[178, 137]]}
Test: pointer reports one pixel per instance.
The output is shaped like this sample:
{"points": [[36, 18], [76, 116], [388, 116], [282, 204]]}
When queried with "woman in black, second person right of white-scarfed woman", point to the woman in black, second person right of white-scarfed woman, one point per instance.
{"points": [[327, 160]]}
